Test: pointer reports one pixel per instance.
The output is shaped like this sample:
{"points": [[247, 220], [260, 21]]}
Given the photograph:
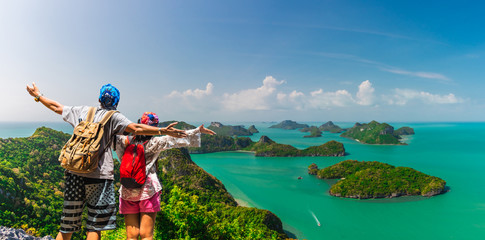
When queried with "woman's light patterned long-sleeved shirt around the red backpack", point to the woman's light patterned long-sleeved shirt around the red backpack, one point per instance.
{"points": [[152, 149]]}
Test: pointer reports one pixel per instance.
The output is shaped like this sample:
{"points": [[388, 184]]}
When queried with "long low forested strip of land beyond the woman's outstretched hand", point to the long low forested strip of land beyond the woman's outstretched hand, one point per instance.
{"points": [[265, 147]]}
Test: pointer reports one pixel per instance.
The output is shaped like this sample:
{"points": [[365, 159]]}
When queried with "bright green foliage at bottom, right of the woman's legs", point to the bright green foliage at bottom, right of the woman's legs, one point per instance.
{"points": [[184, 217]]}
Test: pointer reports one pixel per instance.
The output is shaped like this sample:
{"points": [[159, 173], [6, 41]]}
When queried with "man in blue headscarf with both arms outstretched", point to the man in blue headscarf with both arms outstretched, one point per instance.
{"points": [[95, 189]]}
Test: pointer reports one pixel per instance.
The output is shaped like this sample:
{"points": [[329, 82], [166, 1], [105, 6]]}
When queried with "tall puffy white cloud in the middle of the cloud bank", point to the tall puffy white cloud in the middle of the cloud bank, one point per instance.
{"points": [[253, 99]]}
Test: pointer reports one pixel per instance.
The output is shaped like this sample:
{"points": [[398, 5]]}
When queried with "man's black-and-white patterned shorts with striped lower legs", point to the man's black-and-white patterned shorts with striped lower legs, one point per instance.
{"points": [[97, 194]]}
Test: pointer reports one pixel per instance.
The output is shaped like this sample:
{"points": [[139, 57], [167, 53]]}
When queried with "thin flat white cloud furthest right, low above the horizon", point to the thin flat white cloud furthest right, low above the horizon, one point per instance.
{"points": [[403, 96]]}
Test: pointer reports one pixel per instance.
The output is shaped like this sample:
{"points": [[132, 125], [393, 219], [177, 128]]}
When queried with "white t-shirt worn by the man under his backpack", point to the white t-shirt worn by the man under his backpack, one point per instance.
{"points": [[115, 126]]}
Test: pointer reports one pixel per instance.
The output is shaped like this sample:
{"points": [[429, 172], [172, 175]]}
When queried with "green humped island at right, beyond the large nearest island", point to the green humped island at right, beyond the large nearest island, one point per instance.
{"points": [[377, 133]]}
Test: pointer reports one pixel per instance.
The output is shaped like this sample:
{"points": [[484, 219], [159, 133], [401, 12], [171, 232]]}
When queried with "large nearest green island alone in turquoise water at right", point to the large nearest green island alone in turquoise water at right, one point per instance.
{"points": [[363, 180]]}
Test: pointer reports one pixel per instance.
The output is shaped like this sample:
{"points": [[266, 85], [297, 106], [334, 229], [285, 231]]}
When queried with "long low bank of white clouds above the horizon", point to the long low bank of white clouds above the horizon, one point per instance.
{"points": [[270, 97]]}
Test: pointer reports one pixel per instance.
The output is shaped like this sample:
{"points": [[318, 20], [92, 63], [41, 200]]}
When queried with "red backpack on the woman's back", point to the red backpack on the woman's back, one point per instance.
{"points": [[133, 165]]}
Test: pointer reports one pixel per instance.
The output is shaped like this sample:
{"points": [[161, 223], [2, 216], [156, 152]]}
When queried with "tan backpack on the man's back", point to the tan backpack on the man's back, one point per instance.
{"points": [[81, 153]]}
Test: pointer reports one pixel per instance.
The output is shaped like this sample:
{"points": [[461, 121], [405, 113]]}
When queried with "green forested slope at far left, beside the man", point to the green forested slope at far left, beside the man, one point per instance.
{"points": [[30, 182]]}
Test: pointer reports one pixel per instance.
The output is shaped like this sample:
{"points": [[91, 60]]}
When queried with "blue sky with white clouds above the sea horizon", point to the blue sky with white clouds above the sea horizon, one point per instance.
{"points": [[248, 60]]}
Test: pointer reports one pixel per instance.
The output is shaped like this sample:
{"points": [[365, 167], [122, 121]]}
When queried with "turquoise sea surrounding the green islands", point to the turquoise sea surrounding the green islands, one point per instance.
{"points": [[454, 152]]}
